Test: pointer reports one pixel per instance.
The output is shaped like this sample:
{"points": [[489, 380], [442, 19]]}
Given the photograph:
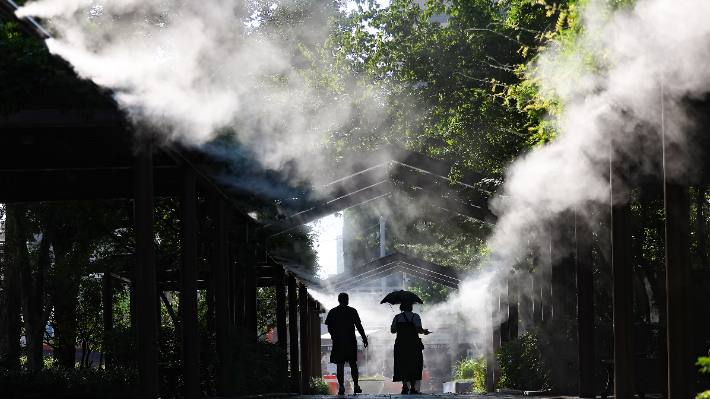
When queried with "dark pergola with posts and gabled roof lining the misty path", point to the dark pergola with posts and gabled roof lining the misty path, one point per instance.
{"points": [[52, 154]]}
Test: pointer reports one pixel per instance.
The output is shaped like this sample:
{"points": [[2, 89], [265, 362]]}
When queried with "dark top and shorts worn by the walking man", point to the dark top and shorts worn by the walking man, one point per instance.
{"points": [[341, 321]]}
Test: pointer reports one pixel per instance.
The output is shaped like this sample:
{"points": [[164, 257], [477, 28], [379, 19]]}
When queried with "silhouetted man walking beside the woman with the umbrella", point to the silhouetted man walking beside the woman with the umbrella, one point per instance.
{"points": [[342, 321]]}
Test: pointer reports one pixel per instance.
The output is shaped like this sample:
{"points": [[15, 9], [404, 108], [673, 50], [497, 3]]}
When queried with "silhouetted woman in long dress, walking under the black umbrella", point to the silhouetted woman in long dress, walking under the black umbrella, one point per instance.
{"points": [[408, 347]]}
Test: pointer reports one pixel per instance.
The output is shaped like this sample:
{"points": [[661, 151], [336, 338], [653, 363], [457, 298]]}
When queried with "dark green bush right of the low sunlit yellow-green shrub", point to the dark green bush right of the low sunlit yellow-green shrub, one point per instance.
{"points": [[522, 365]]}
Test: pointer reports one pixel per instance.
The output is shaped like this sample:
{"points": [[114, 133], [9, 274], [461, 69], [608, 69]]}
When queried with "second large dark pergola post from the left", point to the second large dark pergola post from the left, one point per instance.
{"points": [[188, 282]]}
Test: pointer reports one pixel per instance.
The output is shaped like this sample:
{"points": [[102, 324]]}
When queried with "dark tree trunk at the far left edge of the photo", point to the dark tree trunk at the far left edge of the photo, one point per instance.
{"points": [[10, 321]]}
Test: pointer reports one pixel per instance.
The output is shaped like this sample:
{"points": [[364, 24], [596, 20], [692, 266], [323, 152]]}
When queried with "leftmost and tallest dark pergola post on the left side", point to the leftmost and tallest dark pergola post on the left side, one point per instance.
{"points": [[146, 295]]}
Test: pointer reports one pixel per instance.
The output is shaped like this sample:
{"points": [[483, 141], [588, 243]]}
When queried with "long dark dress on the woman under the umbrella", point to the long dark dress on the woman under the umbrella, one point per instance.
{"points": [[408, 357]]}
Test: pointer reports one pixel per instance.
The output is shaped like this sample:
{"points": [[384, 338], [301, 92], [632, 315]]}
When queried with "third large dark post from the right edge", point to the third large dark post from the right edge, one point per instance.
{"points": [[585, 305]]}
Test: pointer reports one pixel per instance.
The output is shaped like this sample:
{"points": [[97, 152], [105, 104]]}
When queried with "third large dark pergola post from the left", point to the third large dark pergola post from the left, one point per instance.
{"points": [[221, 275]]}
